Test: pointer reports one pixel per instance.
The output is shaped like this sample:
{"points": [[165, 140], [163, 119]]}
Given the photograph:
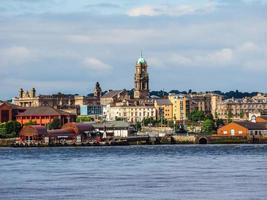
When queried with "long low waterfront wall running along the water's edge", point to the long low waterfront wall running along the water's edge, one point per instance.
{"points": [[170, 140]]}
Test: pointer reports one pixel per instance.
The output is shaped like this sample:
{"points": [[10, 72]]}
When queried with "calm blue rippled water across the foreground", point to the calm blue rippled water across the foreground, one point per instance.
{"points": [[207, 172]]}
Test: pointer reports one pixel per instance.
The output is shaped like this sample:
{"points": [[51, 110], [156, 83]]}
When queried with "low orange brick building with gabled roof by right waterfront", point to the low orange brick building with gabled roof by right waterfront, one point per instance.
{"points": [[243, 128]]}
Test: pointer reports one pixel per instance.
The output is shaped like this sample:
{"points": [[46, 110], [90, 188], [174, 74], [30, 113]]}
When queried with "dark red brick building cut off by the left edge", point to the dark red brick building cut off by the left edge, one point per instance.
{"points": [[9, 111]]}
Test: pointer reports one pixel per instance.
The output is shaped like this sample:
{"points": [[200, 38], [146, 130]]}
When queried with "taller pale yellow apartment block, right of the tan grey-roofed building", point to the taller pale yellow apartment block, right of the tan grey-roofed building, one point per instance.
{"points": [[180, 106]]}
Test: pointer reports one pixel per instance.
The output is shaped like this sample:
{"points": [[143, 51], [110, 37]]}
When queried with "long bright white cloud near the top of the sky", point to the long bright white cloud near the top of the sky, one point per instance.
{"points": [[170, 10]]}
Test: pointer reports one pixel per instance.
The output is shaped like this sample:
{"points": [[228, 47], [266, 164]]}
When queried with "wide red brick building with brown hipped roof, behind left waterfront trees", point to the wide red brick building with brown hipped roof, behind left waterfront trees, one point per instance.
{"points": [[44, 115]]}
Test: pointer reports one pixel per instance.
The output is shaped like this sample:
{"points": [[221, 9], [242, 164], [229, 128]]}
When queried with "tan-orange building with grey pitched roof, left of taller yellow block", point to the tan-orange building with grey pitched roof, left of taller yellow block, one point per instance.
{"points": [[164, 109]]}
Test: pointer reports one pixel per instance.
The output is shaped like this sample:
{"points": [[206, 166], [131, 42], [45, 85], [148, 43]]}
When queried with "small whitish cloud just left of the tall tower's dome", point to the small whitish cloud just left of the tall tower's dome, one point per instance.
{"points": [[96, 65]]}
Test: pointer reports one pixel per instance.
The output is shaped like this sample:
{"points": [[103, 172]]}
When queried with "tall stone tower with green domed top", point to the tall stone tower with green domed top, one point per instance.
{"points": [[141, 80]]}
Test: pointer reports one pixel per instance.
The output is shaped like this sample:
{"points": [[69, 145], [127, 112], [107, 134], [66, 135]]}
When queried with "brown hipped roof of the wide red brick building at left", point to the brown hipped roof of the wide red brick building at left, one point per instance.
{"points": [[43, 111]]}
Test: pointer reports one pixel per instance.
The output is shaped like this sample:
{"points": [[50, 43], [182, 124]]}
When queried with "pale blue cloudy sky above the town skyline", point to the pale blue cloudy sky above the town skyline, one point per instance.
{"points": [[66, 45]]}
